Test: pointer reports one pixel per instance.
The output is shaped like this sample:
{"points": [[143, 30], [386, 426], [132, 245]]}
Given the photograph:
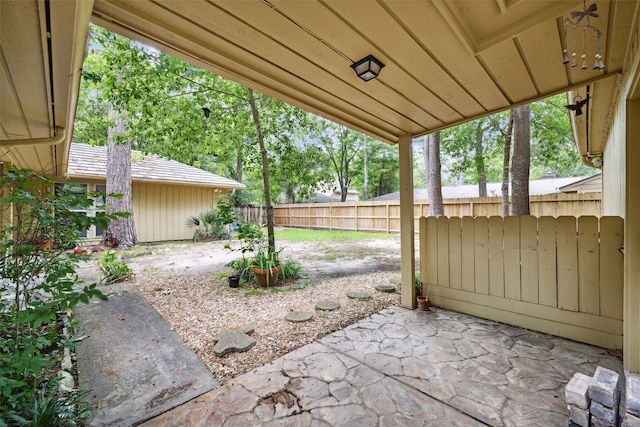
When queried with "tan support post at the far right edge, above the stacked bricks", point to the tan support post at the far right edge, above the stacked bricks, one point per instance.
{"points": [[631, 310]]}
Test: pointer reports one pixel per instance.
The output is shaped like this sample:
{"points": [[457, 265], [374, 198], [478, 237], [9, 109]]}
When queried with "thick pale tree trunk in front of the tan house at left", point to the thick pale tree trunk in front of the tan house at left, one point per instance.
{"points": [[121, 233]]}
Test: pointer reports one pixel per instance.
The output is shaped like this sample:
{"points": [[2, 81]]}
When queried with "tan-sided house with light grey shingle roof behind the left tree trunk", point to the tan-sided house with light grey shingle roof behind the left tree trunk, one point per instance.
{"points": [[165, 193]]}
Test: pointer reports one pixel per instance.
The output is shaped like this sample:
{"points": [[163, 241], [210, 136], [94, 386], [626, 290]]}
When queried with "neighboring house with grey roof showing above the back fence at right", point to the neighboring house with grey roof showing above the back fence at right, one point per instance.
{"points": [[536, 188]]}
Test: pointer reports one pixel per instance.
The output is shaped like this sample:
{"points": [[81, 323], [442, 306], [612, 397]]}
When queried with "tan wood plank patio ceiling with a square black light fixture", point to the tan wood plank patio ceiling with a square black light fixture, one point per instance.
{"points": [[446, 62]]}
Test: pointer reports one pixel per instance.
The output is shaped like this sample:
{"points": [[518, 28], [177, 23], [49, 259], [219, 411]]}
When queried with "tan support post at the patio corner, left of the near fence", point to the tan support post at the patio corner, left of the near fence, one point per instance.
{"points": [[407, 235]]}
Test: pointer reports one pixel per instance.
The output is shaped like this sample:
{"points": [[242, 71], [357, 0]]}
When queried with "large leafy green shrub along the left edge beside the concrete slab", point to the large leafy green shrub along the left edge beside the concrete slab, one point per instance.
{"points": [[38, 286]]}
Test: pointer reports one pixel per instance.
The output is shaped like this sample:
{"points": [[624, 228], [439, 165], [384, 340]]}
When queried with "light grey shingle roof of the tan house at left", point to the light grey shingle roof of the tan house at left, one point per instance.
{"points": [[86, 161]]}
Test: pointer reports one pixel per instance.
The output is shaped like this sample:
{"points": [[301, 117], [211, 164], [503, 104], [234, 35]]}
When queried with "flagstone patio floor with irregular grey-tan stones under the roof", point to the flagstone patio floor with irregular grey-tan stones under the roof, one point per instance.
{"points": [[405, 367]]}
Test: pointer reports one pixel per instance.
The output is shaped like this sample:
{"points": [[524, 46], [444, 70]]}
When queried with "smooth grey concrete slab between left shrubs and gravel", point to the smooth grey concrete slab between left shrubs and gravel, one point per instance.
{"points": [[133, 365]]}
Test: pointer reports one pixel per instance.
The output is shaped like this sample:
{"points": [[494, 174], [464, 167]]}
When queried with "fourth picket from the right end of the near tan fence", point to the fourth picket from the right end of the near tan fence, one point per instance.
{"points": [[547, 262]]}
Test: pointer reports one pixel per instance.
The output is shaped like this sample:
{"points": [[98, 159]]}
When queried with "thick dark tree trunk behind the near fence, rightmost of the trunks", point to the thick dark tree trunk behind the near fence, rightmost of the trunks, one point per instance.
{"points": [[521, 160]]}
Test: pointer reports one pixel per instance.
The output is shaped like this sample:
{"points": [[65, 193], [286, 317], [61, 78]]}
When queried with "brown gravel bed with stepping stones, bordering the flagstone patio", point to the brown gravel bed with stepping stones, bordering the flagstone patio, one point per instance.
{"points": [[199, 305]]}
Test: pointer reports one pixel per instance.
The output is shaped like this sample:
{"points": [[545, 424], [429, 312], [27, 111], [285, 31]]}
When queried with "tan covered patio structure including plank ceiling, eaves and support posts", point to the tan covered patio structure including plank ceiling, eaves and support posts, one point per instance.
{"points": [[446, 62]]}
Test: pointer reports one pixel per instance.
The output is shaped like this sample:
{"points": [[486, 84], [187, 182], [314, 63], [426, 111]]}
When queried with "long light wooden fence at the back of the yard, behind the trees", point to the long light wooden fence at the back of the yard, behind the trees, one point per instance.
{"points": [[385, 216]]}
